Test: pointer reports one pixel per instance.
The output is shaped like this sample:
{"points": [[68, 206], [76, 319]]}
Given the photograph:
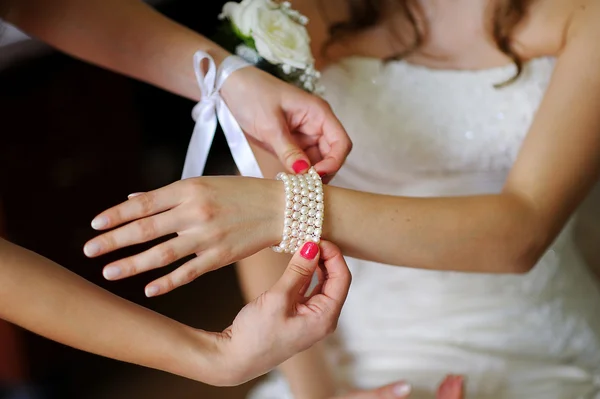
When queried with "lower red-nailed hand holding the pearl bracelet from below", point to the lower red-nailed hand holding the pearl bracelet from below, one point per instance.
{"points": [[285, 320]]}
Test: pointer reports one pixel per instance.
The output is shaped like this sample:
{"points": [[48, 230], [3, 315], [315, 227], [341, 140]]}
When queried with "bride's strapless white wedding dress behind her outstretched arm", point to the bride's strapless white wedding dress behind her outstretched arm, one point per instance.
{"points": [[423, 132]]}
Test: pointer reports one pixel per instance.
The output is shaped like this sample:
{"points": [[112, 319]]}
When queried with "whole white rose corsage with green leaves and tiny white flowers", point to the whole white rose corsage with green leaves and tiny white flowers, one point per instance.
{"points": [[273, 37]]}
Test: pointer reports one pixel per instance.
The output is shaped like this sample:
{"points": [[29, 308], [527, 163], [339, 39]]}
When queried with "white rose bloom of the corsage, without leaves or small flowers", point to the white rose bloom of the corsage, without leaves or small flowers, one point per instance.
{"points": [[278, 38]]}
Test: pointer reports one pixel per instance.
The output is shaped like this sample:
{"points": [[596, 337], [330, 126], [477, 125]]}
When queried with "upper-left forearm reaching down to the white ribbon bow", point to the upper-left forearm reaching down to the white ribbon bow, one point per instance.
{"points": [[126, 36]]}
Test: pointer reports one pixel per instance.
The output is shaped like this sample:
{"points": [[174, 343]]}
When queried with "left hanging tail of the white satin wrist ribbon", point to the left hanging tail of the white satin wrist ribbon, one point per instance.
{"points": [[200, 143]]}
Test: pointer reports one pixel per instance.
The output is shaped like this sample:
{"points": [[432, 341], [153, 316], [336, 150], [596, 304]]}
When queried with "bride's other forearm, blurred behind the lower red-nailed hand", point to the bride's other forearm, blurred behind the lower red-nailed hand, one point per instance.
{"points": [[307, 373]]}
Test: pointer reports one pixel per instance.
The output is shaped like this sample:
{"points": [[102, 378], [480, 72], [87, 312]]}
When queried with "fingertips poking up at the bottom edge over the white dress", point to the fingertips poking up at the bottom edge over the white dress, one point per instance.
{"points": [[450, 388]]}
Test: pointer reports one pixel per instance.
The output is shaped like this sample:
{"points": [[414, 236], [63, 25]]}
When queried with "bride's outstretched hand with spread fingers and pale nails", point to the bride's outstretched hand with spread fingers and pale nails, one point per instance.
{"points": [[220, 219]]}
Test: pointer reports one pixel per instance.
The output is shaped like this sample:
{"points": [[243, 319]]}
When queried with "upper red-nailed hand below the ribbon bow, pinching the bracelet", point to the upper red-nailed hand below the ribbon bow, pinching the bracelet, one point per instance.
{"points": [[299, 128]]}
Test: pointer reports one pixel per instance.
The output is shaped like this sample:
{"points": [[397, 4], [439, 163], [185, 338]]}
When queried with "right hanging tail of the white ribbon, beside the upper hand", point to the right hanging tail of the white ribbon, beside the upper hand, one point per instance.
{"points": [[238, 143]]}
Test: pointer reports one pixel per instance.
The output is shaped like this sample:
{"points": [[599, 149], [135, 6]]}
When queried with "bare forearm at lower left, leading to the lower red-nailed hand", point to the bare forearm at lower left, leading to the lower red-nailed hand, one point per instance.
{"points": [[47, 299]]}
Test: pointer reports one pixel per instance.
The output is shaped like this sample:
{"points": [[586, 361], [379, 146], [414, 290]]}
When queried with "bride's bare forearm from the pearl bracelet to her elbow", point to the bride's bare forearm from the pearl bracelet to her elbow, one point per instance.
{"points": [[492, 233]]}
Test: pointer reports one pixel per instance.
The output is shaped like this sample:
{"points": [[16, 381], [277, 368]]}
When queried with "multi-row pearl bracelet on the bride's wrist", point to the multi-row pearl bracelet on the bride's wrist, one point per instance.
{"points": [[304, 210]]}
